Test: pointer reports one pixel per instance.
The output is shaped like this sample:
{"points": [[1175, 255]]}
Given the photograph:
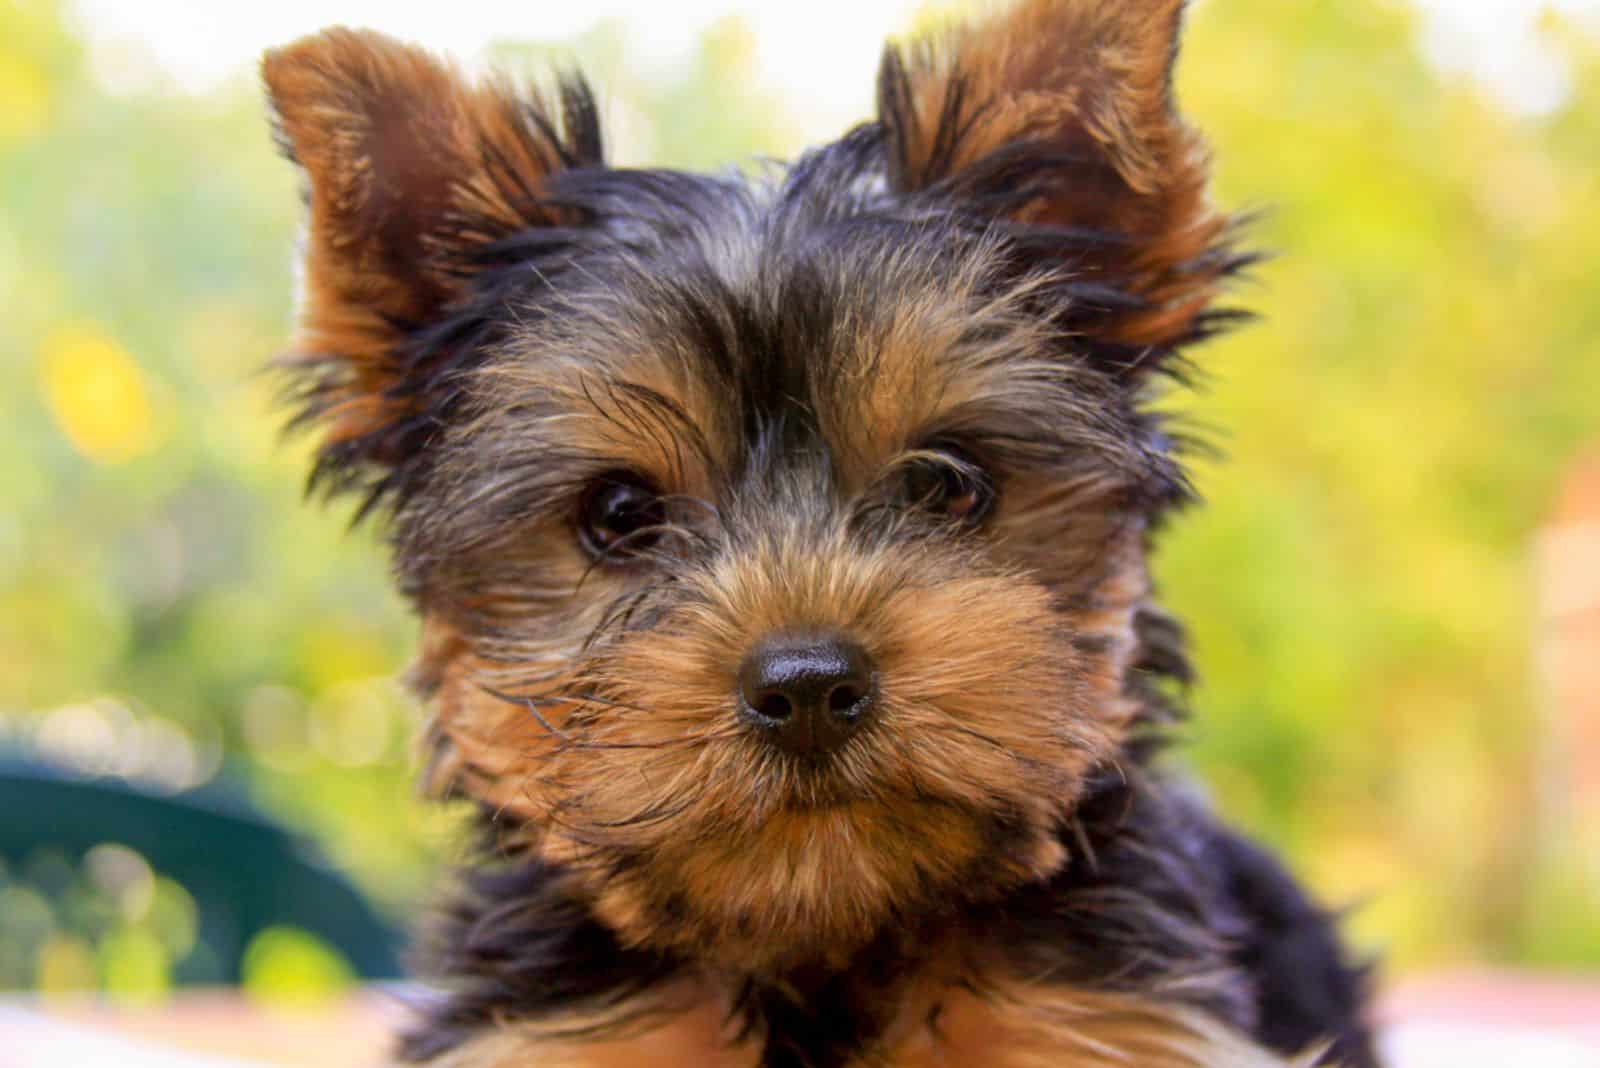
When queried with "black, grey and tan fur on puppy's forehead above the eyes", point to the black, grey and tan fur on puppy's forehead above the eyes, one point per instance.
{"points": [[705, 367]]}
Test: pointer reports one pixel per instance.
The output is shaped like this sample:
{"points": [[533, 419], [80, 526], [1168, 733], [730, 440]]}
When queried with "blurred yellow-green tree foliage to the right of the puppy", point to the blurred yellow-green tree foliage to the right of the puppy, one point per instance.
{"points": [[1359, 584]]}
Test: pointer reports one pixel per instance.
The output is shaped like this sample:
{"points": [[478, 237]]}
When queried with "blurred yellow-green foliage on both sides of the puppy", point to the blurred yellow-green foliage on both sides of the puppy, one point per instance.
{"points": [[1359, 584]]}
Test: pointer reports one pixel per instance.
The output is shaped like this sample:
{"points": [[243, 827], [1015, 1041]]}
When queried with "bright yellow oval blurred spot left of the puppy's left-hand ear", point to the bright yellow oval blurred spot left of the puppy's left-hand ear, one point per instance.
{"points": [[98, 394]]}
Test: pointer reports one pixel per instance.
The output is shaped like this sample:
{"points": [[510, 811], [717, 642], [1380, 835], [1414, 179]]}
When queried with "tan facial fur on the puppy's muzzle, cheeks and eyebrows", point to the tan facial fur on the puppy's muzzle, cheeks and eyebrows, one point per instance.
{"points": [[986, 707]]}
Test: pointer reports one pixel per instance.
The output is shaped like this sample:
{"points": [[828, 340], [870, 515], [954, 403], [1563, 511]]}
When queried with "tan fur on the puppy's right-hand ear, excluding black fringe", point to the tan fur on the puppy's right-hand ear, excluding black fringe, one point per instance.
{"points": [[1086, 78]]}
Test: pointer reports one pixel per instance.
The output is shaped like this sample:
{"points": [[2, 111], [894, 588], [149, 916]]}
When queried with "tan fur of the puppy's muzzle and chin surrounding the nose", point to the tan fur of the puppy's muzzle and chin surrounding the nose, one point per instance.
{"points": [[767, 861]]}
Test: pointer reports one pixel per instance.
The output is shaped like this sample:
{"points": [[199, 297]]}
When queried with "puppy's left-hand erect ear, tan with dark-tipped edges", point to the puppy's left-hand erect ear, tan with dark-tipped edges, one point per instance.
{"points": [[414, 175]]}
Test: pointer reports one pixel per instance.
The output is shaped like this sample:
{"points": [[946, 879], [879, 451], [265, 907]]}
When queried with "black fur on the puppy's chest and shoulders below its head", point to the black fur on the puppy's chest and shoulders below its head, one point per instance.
{"points": [[1164, 899]]}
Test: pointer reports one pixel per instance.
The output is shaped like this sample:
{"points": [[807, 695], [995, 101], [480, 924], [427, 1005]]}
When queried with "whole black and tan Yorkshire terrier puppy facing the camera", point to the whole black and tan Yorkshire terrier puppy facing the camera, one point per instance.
{"points": [[780, 548]]}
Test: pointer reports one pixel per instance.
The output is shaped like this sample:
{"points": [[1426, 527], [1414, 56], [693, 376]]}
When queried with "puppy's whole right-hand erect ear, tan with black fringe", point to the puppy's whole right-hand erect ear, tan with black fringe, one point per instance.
{"points": [[1058, 121]]}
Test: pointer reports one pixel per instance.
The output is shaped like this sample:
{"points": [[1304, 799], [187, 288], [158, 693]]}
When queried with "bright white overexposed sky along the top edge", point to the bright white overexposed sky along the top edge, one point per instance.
{"points": [[820, 54]]}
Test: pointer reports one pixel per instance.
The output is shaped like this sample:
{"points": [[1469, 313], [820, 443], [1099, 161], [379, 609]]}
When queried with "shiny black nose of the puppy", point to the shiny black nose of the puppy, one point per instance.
{"points": [[807, 695]]}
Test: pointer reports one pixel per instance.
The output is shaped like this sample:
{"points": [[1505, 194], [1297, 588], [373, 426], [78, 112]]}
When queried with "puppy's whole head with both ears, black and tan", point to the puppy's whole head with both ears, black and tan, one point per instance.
{"points": [[780, 546]]}
